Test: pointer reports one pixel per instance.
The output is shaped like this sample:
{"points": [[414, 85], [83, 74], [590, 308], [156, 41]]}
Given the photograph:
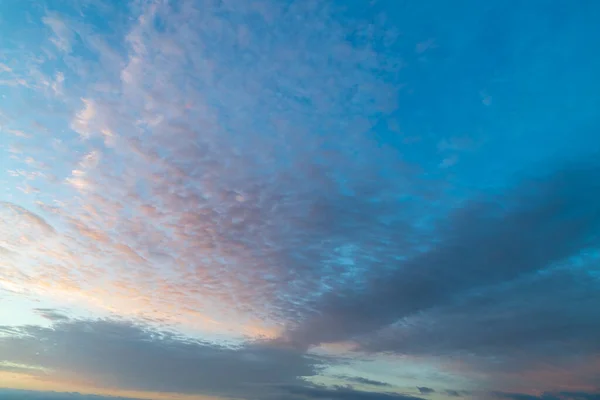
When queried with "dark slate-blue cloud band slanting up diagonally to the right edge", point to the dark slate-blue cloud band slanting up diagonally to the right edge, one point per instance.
{"points": [[483, 244]]}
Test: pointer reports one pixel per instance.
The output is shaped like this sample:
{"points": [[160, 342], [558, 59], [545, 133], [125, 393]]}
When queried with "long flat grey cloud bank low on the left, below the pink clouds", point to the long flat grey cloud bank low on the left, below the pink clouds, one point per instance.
{"points": [[129, 356]]}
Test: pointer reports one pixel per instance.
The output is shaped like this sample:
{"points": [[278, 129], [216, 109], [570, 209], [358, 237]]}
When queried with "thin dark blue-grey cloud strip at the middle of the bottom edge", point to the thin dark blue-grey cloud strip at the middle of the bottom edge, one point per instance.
{"points": [[341, 393]]}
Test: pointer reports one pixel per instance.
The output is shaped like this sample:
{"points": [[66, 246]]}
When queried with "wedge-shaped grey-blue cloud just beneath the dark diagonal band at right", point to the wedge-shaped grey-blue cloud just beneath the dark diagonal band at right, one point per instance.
{"points": [[546, 317]]}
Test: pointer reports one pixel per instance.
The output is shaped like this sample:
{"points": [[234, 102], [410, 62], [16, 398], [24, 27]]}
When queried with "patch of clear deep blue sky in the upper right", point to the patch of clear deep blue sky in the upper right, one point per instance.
{"points": [[534, 65]]}
